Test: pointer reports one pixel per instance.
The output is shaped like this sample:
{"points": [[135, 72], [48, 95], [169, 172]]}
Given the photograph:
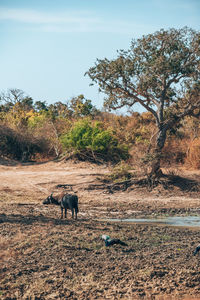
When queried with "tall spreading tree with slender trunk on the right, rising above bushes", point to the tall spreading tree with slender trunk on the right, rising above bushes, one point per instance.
{"points": [[161, 72]]}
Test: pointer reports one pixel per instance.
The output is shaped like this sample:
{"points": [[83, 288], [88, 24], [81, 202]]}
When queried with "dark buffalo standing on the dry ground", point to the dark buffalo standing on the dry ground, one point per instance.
{"points": [[66, 201]]}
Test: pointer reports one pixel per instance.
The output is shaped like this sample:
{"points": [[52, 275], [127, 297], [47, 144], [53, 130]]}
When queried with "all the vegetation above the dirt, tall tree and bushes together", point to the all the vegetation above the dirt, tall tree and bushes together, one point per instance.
{"points": [[160, 71]]}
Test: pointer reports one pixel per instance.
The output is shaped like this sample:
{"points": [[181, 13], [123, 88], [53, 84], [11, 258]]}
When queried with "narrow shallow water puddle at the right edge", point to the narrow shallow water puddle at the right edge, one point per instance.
{"points": [[188, 221]]}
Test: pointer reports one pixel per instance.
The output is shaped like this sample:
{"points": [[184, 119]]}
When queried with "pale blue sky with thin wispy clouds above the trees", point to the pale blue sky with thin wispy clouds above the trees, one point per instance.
{"points": [[46, 46]]}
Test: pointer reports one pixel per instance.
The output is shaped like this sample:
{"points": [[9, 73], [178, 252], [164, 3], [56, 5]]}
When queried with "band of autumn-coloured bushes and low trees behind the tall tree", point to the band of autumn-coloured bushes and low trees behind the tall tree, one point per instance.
{"points": [[37, 131]]}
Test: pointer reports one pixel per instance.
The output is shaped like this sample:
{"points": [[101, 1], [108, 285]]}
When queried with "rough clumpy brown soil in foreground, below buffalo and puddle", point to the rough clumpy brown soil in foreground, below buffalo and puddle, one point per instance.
{"points": [[47, 258]]}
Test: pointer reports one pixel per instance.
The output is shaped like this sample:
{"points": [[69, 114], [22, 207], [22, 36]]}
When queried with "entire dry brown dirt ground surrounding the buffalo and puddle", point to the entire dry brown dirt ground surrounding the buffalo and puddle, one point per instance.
{"points": [[44, 257]]}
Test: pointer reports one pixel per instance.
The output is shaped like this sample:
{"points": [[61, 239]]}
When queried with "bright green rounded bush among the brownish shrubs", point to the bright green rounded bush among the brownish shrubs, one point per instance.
{"points": [[89, 141]]}
